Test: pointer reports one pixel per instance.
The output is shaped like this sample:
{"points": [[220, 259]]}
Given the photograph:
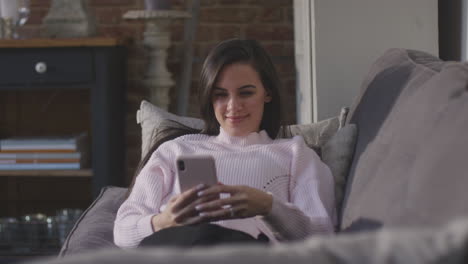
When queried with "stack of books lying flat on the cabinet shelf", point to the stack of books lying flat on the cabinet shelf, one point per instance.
{"points": [[44, 153]]}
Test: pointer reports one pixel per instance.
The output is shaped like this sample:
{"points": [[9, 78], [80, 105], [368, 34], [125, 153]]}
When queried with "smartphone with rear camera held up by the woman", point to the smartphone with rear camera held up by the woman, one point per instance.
{"points": [[195, 169]]}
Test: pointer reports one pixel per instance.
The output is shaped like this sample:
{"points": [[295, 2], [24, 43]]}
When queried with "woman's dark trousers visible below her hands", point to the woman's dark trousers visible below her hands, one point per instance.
{"points": [[200, 235]]}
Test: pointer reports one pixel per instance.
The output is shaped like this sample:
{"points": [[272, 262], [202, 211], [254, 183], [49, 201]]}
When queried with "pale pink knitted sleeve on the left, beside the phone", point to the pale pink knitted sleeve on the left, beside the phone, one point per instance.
{"points": [[133, 221]]}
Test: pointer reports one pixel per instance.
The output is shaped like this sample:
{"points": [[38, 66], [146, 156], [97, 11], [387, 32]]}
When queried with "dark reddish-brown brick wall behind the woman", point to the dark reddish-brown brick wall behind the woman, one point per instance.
{"points": [[268, 21]]}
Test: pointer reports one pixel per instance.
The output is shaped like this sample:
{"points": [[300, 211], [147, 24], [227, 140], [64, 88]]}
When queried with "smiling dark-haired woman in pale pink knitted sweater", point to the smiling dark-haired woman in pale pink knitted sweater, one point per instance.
{"points": [[272, 189]]}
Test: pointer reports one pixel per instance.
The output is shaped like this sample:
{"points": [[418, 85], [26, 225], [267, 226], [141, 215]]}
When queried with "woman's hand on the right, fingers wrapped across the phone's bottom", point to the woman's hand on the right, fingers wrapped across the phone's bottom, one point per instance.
{"points": [[243, 202]]}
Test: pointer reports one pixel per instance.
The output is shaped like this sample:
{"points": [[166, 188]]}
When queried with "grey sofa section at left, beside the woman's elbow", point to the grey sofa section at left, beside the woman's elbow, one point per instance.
{"points": [[94, 228]]}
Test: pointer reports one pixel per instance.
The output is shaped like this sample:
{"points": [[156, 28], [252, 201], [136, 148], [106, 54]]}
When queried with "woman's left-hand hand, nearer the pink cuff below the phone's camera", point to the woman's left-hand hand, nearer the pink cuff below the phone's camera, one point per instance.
{"points": [[180, 210]]}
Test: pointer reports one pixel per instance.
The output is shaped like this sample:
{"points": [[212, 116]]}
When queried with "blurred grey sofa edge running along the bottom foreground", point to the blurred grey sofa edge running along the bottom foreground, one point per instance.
{"points": [[446, 245]]}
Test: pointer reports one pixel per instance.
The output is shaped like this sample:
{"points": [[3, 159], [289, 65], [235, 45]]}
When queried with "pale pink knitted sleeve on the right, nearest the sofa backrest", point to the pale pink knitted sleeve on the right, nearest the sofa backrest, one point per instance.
{"points": [[311, 208]]}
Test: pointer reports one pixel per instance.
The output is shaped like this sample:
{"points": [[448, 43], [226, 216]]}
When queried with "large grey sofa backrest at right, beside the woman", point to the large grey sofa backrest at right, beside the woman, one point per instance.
{"points": [[411, 161]]}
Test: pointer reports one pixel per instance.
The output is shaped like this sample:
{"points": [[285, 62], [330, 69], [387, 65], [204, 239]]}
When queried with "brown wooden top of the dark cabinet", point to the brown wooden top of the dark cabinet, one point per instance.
{"points": [[62, 42]]}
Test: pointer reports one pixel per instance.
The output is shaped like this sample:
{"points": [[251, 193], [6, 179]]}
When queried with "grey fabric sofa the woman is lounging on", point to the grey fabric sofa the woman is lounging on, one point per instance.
{"points": [[405, 187]]}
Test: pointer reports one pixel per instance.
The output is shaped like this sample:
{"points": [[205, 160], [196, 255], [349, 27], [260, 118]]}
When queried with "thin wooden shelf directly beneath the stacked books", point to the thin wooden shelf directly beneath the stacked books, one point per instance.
{"points": [[47, 173]]}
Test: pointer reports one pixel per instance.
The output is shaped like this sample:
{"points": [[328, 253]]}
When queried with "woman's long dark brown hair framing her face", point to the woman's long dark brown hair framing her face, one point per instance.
{"points": [[225, 53]]}
